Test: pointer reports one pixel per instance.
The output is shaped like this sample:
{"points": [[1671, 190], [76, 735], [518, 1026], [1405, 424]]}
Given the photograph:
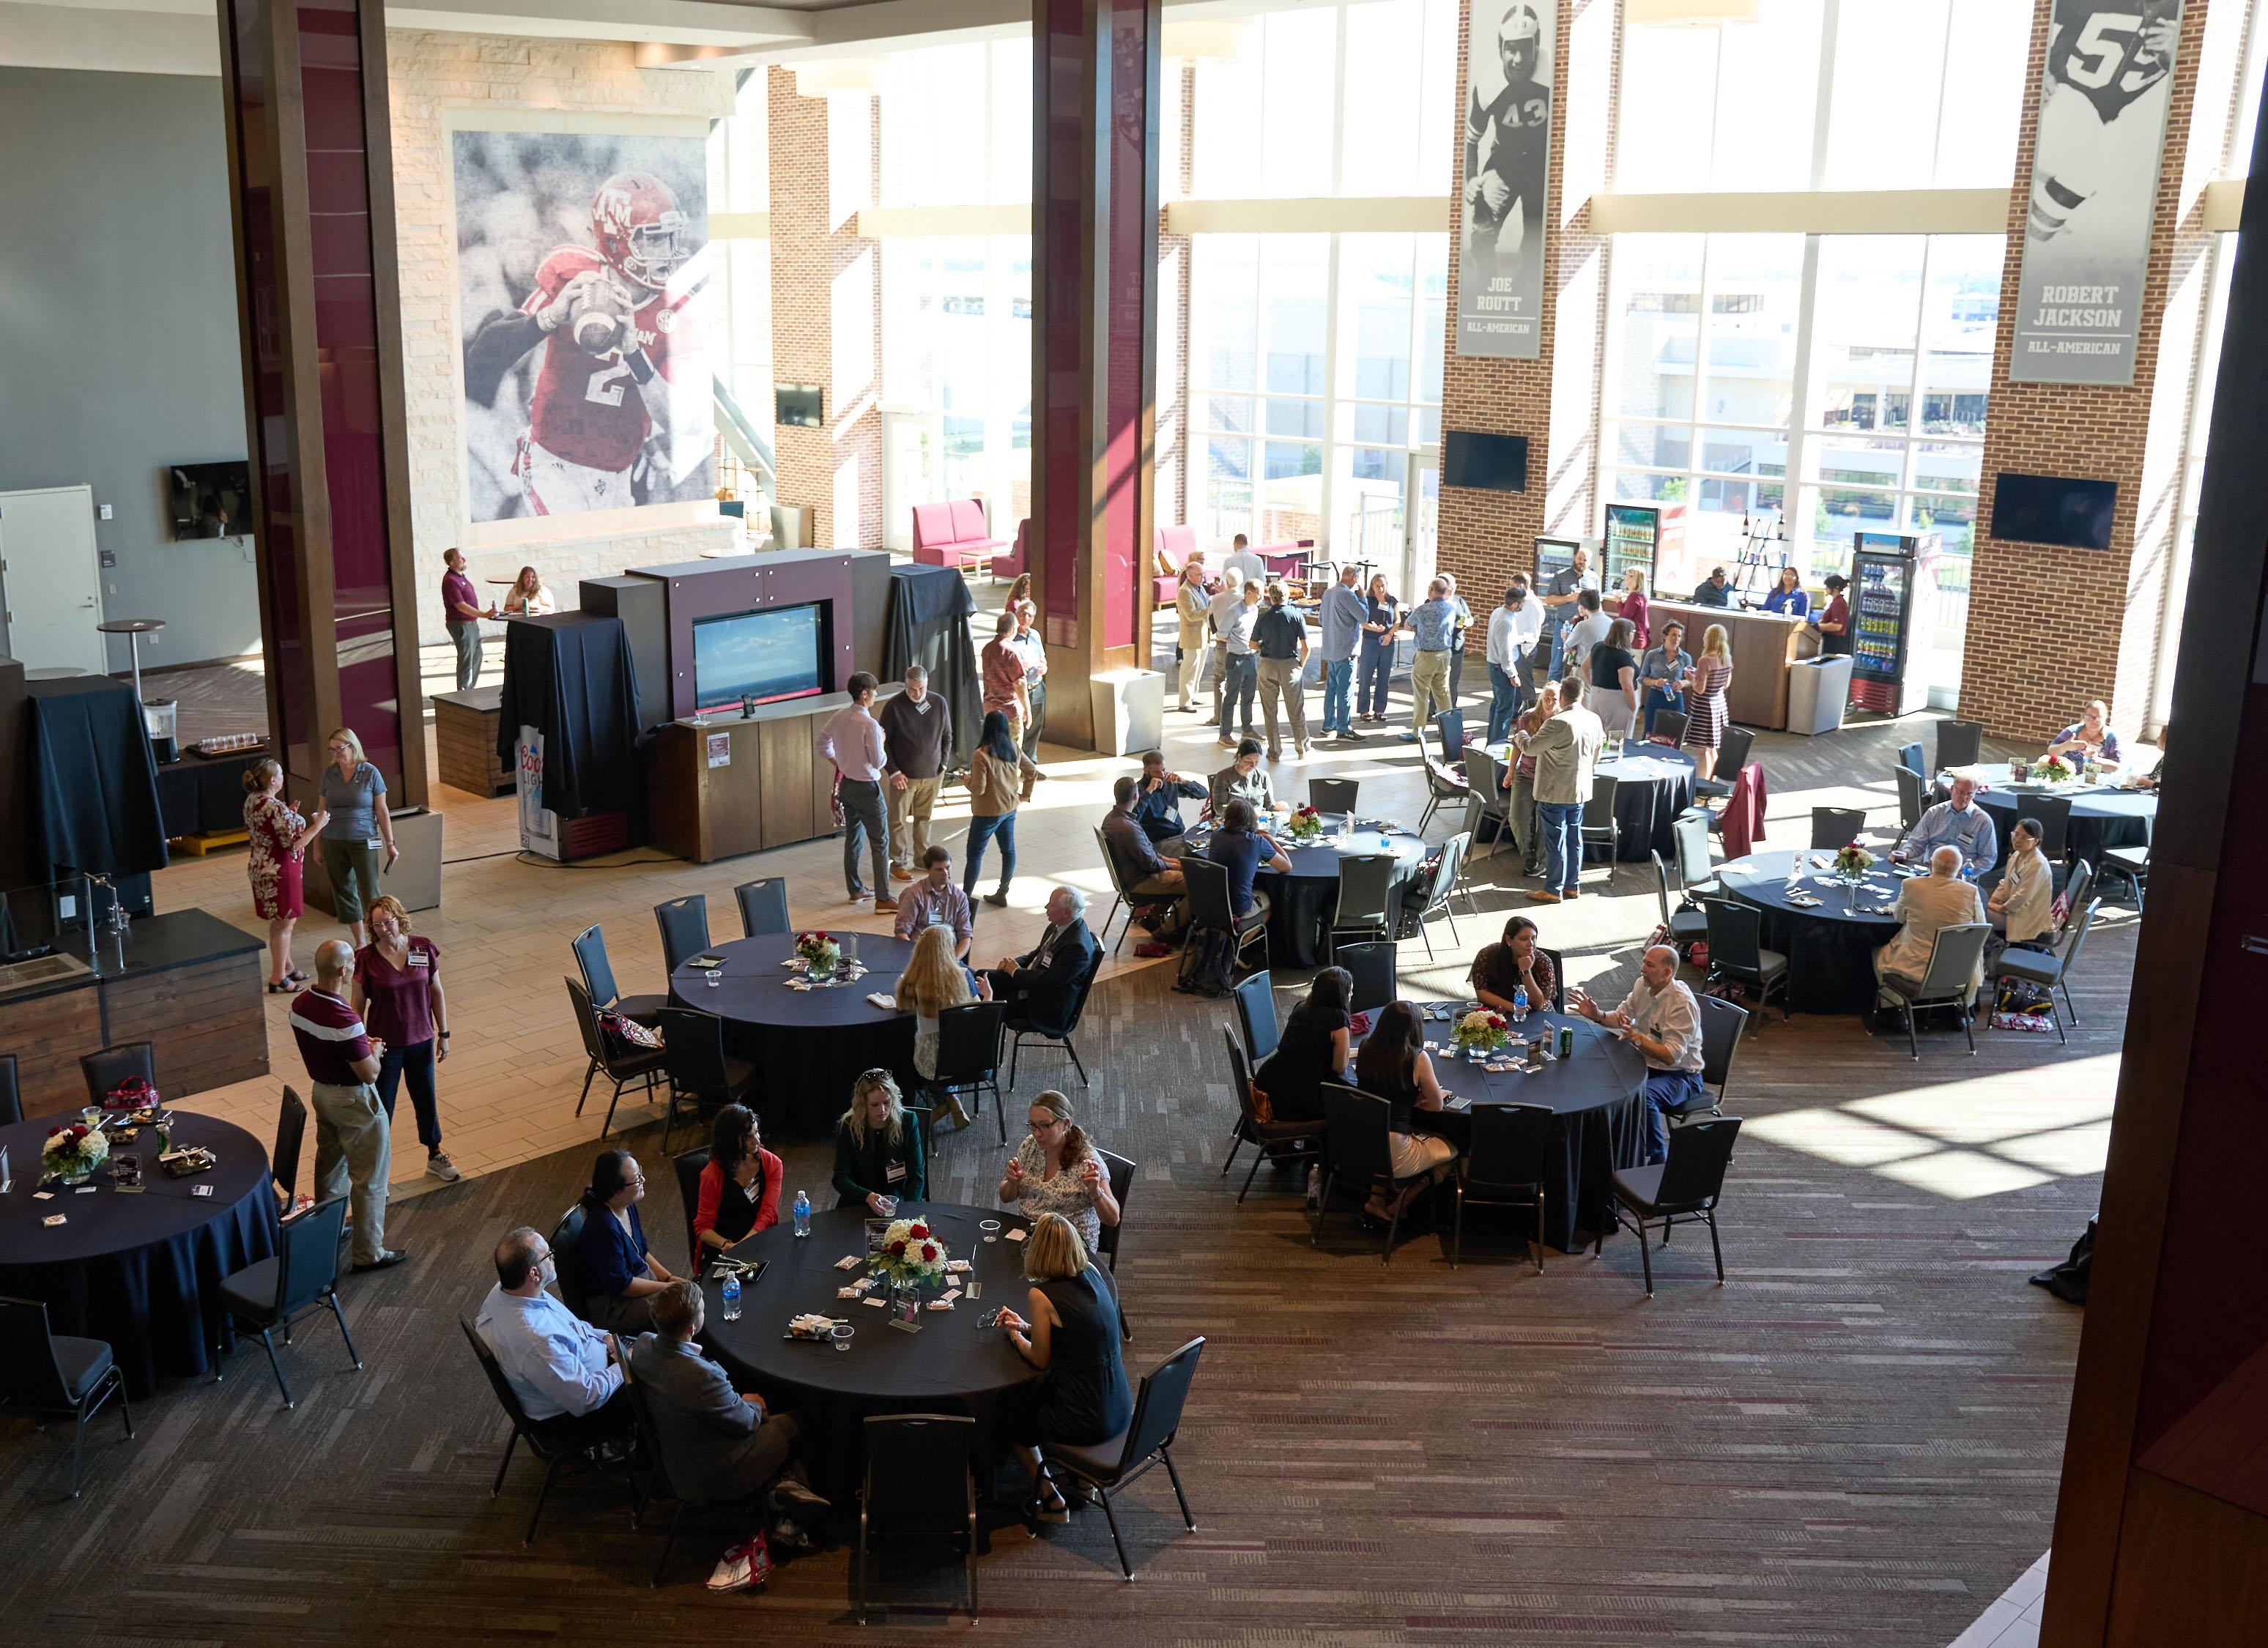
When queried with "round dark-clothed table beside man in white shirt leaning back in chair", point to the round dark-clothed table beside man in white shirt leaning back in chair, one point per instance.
{"points": [[1598, 1114]]}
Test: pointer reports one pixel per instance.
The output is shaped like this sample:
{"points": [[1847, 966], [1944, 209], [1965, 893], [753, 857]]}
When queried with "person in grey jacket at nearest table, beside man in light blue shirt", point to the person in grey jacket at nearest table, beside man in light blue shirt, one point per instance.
{"points": [[720, 1445]]}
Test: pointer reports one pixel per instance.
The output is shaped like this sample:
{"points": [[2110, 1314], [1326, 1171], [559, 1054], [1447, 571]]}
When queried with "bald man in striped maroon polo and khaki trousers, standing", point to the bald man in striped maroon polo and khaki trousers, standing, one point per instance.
{"points": [[353, 1139]]}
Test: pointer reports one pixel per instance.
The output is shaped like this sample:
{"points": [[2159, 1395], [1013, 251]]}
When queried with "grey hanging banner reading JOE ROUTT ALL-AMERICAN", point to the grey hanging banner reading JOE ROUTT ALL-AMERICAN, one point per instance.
{"points": [[1500, 264]]}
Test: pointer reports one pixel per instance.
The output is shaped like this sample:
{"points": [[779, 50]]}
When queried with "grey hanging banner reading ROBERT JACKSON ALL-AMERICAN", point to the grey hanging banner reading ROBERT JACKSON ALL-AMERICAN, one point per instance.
{"points": [[2094, 189]]}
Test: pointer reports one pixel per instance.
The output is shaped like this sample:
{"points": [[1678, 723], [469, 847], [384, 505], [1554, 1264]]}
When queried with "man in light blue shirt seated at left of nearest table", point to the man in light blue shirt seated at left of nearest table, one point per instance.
{"points": [[564, 1370]]}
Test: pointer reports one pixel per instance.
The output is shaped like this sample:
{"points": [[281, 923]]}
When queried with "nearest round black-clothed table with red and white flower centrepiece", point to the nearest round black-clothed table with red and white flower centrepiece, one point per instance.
{"points": [[954, 1366]]}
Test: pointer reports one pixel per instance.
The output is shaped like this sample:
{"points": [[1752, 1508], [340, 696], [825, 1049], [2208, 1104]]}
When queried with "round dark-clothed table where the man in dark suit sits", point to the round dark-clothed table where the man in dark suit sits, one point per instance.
{"points": [[806, 1046]]}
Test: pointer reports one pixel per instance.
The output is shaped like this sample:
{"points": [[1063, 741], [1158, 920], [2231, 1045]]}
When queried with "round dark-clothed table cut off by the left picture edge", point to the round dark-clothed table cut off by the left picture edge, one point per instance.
{"points": [[139, 1271]]}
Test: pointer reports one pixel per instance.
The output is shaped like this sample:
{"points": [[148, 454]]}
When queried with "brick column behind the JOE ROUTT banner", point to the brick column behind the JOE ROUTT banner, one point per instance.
{"points": [[1552, 400]]}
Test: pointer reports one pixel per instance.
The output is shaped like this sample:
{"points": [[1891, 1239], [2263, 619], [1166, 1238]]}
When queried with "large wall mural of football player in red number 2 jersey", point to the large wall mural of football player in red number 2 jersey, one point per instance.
{"points": [[582, 282]]}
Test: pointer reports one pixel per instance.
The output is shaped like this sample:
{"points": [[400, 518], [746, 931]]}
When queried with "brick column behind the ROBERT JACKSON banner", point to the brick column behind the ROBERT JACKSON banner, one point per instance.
{"points": [[2051, 629]]}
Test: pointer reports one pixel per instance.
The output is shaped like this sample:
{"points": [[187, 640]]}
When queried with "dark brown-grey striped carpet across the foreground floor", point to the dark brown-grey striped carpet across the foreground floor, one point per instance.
{"points": [[1854, 1443]]}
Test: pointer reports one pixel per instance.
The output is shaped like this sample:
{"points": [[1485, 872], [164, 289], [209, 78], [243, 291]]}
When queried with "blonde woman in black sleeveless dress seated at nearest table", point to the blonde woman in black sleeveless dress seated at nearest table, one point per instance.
{"points": [[1074, 1339]]}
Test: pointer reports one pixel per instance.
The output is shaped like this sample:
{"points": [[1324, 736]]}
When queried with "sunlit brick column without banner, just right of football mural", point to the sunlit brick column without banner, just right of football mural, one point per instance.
{"points": [[827, 307]]}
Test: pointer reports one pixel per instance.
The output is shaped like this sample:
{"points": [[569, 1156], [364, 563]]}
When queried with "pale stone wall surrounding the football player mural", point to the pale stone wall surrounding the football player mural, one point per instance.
{"points": [[430, 76]]}
